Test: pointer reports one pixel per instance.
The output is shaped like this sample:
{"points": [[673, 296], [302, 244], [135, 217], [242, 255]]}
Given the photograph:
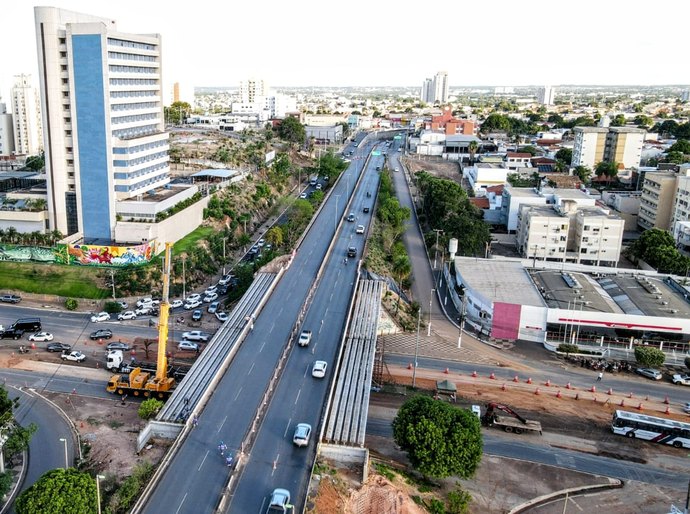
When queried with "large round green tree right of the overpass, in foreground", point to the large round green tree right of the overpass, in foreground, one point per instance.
{"points": [[440, 440]]}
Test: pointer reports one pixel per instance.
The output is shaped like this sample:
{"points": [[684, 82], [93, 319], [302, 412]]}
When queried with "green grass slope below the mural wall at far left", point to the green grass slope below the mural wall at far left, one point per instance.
{"points": [[67, 281]]}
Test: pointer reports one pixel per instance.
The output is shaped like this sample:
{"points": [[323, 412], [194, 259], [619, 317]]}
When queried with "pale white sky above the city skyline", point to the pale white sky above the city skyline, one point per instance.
{"points": [[386, 43]]}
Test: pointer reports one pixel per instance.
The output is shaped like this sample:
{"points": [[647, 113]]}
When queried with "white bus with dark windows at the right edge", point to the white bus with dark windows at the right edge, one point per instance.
{"points": [[650, 428]]}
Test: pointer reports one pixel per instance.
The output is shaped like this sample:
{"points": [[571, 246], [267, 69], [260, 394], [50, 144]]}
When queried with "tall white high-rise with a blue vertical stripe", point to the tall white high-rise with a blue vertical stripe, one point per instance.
{"points": [[104, 133]]}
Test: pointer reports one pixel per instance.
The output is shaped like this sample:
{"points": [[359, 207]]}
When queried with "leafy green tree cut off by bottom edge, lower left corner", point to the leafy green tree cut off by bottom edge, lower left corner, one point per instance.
{"points": [[64, 491]]}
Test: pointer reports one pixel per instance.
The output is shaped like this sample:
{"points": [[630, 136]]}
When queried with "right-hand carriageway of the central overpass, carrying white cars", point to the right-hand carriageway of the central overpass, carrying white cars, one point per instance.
{"points": [[299, 398]]}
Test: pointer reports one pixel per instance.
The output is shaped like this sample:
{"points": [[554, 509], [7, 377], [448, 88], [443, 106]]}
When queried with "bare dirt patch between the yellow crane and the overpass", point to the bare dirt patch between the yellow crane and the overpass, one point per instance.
{"points": [[109, 429]]}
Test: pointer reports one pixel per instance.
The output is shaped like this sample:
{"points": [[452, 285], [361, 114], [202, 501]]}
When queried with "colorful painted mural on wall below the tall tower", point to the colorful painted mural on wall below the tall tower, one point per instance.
{"points": [[96, 255]]}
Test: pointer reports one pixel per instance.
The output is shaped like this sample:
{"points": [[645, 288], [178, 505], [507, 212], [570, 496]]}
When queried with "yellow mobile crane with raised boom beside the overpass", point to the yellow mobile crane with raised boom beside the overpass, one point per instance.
{"points": [[142, 383]]}
